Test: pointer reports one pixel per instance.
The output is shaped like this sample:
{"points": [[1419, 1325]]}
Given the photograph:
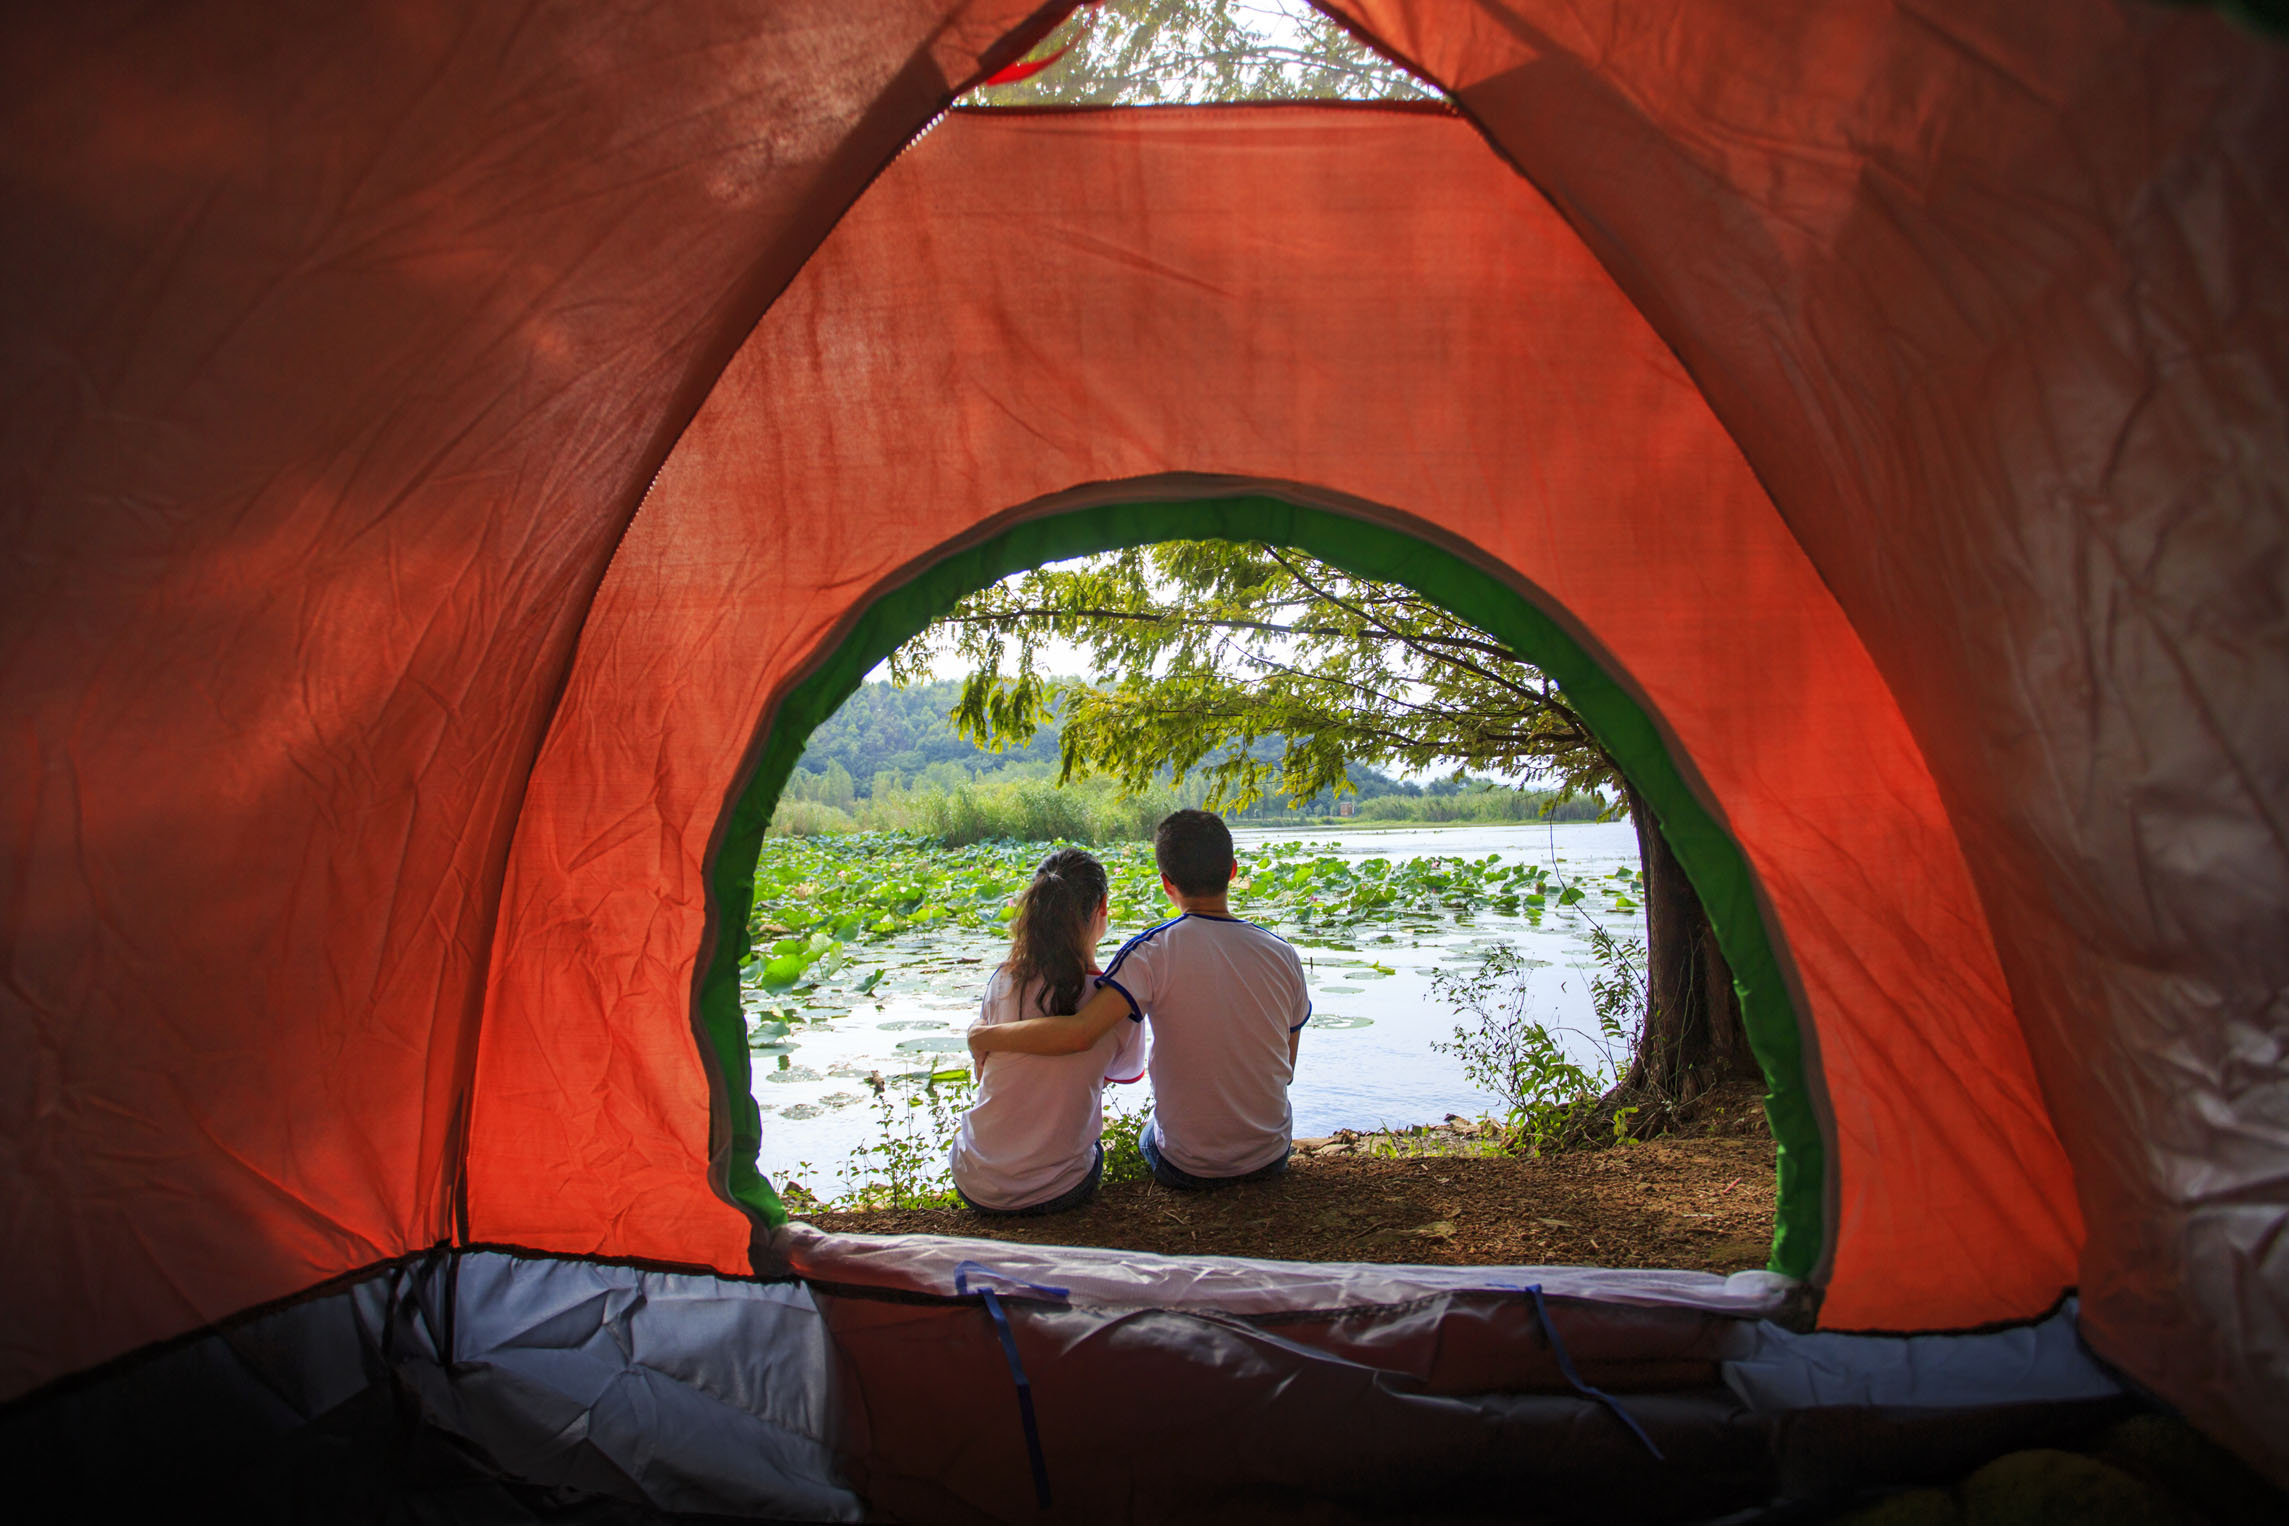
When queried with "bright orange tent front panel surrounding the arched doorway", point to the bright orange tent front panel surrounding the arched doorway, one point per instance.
{"points": [[1356, 301]]}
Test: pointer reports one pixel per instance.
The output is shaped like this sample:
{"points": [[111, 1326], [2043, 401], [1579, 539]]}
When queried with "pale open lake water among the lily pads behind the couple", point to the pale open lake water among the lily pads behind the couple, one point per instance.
{"points": [[1365, 1060]]}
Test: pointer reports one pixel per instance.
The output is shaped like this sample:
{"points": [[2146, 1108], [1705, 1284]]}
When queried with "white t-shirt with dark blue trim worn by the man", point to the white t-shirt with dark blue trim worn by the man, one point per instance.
{"points": [[1223, 999]]}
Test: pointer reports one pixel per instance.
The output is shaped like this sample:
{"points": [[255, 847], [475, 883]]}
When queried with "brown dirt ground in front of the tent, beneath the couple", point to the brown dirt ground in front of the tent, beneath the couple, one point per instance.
{"points": [[1702, 1205]]}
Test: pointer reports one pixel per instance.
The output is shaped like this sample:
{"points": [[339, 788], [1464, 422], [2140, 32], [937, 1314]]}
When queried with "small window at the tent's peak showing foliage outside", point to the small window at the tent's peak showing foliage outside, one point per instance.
{"points": [[1155, 51]]}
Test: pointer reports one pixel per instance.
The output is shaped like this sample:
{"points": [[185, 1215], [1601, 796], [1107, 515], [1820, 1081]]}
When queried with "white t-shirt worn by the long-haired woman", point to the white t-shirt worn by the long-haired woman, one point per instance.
{"points": [[1033, 1131]]}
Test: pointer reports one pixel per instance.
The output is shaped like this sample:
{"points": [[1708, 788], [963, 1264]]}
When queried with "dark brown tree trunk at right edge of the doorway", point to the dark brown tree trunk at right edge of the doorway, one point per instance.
{"points": [[1693, 1017]]}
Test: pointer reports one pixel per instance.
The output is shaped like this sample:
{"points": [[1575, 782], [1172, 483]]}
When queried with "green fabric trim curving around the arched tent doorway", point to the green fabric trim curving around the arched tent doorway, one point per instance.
{"points": [[1709, 855]]}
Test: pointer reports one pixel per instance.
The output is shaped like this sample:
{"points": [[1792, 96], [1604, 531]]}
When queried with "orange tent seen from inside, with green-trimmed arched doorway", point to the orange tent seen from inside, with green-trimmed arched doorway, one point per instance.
{"points": [[459, 456]]}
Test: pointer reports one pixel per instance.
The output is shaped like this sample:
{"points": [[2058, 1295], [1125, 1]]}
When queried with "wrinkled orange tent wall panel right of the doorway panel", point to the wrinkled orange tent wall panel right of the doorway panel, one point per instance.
{"points": [[1993, 299]]}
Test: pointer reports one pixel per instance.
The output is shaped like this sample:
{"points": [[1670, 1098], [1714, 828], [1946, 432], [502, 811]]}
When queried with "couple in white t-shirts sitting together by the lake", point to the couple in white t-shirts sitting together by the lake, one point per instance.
{"points": [[1226, 1003]]}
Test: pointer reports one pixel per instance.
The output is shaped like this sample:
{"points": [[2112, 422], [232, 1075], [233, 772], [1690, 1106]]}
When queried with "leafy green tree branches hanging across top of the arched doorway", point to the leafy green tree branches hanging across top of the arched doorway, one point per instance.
{"points": [[1203, 651]]}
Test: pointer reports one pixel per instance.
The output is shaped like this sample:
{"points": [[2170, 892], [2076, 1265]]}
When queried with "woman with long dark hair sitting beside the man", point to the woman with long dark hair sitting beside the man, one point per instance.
{"points": [[1029, 1145]]}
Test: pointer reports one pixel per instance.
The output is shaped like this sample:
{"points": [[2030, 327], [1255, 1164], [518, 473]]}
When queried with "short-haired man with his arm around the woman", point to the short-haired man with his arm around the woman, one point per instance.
{"points": [[1228, 1006]]}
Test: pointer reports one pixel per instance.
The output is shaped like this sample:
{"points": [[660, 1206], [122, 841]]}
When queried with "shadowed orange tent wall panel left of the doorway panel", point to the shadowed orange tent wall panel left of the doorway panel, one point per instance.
{"points": [[340, 344]]}
